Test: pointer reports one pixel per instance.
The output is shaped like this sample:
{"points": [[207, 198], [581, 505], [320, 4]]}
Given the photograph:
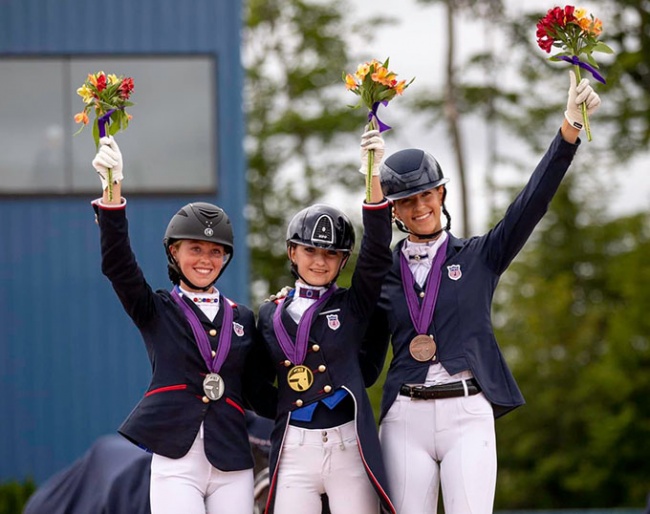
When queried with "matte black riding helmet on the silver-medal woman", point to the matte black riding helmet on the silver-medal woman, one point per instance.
{"points": [[203, 222]]}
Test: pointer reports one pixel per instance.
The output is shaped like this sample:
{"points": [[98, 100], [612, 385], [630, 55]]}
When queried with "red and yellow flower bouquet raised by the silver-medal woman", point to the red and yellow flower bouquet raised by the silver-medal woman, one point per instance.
{"points": [[108, 97]]}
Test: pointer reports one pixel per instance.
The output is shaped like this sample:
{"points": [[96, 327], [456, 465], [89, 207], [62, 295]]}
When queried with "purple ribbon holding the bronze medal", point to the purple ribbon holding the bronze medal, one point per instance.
{"points": [[422, 316]]}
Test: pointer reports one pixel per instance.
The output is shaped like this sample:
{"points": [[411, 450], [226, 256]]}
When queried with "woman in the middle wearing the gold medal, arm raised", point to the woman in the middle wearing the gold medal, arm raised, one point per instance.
{"points": [[325, 438]]}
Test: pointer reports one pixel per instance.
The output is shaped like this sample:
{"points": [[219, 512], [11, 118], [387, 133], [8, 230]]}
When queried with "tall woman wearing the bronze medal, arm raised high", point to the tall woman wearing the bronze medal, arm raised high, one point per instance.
{"points": [[448, 380]]}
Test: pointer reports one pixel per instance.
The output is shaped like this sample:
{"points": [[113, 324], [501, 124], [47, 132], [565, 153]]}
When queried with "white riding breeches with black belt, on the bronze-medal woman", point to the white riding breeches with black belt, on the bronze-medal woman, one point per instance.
{"points": [[448, 442]]}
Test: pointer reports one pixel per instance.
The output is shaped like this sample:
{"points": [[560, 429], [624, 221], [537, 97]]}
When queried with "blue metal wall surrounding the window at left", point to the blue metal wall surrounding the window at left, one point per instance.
{"points": [[71, 363]]}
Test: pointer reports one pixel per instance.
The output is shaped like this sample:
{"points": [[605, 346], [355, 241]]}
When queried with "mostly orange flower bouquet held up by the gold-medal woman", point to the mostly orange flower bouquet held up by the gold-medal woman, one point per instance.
{"points": [[375, 85]]}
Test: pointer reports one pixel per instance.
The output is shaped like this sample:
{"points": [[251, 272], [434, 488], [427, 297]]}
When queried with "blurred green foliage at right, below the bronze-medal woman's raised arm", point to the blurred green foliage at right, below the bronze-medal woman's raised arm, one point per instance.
{"points": [[570, 316]]}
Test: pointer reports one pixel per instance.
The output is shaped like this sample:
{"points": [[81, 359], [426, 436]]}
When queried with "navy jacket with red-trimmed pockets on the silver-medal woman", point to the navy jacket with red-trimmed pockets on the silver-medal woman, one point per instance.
{"points": [[167, 419]]}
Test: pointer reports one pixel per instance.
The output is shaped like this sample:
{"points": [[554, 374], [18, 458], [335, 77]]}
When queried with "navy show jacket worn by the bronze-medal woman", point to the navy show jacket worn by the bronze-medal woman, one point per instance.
{"points": [[462, 326]]}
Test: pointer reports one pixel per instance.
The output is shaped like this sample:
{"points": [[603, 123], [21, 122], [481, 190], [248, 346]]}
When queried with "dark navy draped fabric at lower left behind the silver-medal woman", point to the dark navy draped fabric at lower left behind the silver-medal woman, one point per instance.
{"points": [[112, 477]]}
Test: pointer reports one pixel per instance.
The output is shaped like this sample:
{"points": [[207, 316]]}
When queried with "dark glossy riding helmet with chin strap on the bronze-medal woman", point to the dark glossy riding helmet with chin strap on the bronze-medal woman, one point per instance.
{"points": [[409, 172]]}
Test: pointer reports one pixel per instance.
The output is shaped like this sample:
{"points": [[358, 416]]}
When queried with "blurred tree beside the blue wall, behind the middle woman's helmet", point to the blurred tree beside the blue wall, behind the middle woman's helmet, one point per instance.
{"points": [[301, 132]]}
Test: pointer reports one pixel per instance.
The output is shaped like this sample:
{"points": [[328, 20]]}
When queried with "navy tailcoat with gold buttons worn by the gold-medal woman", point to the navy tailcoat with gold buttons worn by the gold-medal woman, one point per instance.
{"points": [[335, 342]]}
